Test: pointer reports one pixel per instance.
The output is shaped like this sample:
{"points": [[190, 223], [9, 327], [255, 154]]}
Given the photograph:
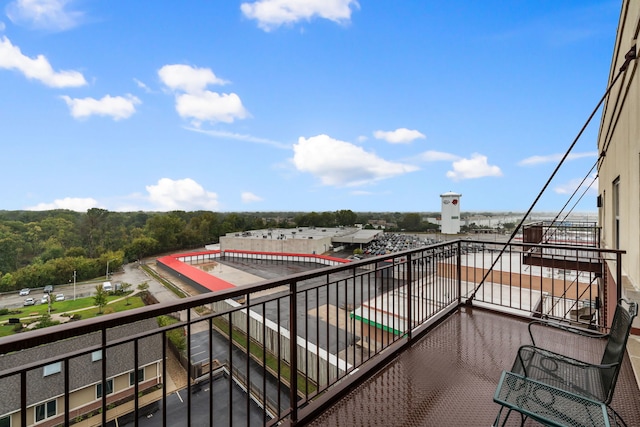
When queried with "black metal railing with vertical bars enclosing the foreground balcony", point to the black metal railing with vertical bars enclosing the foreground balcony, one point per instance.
{"points": [[298, 341]]}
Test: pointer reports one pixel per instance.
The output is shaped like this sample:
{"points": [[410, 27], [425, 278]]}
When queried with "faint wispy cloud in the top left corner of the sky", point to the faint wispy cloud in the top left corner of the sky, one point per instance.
{"points": [[44, 14]]}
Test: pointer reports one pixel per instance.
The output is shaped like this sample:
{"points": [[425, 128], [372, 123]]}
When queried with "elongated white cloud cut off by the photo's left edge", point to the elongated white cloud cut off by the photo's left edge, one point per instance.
{"points": [[11, 58]]}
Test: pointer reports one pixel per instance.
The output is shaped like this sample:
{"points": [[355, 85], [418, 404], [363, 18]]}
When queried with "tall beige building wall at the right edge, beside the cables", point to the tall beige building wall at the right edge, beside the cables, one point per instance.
{"points": [[619, 138]]}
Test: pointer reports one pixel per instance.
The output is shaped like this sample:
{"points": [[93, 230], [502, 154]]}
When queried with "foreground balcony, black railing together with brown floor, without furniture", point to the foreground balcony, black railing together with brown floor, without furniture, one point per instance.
{"points": [[412, 338]]}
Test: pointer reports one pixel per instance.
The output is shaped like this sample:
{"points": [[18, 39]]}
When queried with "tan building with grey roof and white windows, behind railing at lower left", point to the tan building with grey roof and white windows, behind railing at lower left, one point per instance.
{"points": [[46, 384]]}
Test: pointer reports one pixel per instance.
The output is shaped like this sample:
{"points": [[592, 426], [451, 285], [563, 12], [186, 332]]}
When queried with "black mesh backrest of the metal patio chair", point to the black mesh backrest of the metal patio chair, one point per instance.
{"points": [[617, 344]]}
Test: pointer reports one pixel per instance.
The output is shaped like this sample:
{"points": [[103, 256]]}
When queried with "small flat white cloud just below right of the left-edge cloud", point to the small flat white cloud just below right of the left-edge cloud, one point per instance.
{"points": [[117, 107]]}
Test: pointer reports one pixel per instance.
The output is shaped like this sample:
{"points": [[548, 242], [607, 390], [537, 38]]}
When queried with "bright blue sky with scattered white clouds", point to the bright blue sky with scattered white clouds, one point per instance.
{"points": [[299, 105]]}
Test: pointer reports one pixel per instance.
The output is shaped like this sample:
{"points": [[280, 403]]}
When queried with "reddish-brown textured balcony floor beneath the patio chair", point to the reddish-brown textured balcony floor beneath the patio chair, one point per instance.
{"points": [[449, 376]]}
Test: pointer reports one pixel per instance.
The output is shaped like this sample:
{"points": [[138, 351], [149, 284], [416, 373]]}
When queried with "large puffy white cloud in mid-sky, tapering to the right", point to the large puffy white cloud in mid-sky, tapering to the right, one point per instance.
{"points": [[338, 163]]}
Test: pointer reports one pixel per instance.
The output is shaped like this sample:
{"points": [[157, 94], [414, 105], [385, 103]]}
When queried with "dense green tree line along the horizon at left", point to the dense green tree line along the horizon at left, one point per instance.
{"points": [[39, 248]]}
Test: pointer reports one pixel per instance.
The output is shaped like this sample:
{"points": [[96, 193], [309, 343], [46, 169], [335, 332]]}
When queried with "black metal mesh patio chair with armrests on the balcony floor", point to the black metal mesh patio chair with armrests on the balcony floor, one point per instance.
{"points": [[594, 381]]}
